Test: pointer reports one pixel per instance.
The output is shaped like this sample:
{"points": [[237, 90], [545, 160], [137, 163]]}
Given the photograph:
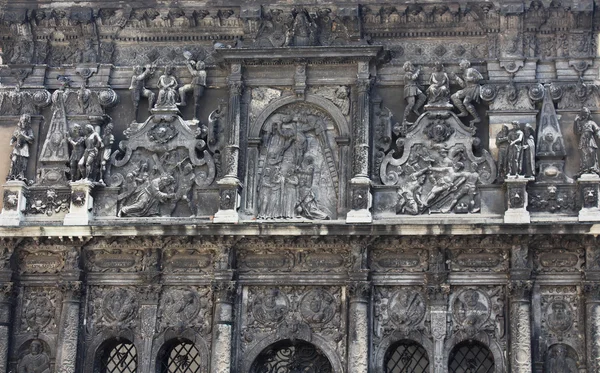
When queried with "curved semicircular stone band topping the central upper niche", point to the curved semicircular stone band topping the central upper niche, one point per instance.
{"points": [[328, 106]]}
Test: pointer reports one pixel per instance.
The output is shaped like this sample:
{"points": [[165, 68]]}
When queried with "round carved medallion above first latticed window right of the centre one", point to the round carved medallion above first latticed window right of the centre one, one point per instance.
{"points": [[407, 308]]}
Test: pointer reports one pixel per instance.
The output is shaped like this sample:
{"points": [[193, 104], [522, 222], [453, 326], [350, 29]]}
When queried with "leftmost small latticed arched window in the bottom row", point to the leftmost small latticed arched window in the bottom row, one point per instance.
{"points": [[117, 357]]}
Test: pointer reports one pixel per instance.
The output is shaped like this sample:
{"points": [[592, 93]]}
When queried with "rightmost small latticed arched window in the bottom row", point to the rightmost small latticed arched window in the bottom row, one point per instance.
{"points": [[471, 357]]}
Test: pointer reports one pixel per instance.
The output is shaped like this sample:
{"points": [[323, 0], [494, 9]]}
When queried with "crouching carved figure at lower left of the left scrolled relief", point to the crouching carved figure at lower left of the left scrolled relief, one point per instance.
{"points": [[147, 198]]}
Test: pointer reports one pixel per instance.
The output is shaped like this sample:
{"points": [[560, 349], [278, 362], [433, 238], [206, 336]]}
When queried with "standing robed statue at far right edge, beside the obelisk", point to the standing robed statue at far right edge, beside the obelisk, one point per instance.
{"points": [[588, 131]]}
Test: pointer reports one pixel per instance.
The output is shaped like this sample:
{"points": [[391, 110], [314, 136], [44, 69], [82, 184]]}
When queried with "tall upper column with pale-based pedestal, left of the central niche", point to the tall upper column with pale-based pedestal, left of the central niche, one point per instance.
{"points": [[229, 185]]}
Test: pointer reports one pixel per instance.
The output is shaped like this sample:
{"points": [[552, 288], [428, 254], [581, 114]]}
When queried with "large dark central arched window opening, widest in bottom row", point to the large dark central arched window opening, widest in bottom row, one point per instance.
{"points": [[291, 357]]}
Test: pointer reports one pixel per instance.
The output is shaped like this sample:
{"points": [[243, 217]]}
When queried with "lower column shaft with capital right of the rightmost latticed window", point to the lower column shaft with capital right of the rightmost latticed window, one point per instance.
{"points": [[520, 327]]}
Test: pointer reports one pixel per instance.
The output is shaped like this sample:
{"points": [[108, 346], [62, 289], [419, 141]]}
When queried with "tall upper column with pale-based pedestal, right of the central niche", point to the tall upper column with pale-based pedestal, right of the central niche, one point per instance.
{"points": [[360, 184]]}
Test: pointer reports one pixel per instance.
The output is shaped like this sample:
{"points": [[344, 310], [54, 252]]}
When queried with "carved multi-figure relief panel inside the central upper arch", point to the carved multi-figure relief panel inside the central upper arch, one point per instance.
{"points": [[295, 163]]}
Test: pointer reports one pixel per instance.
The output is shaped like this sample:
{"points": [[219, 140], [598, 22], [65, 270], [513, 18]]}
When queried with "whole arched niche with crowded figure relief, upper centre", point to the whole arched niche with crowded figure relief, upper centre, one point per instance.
{"points": [[301, 144]]}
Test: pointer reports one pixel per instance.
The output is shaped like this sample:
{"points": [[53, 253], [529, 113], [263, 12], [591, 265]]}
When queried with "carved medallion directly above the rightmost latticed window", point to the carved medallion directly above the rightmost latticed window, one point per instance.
{"points": [[471, 310]]}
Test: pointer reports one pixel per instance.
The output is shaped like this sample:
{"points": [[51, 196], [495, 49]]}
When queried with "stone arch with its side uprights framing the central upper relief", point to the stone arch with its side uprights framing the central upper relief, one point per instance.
{"points": [[336, 157]]}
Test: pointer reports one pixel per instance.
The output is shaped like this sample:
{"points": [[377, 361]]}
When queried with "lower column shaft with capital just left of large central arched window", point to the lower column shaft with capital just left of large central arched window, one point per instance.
{"points": [[223, 325]]}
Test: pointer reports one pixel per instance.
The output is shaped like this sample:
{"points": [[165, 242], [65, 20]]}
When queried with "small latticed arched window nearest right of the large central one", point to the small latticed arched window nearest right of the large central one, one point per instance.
{"points": [[406, 357]]}
